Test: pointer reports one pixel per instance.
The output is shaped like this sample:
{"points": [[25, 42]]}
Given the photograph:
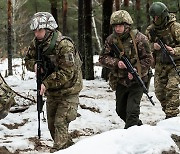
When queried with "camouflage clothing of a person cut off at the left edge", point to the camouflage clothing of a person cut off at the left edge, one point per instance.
{"points": [[6, 98]]}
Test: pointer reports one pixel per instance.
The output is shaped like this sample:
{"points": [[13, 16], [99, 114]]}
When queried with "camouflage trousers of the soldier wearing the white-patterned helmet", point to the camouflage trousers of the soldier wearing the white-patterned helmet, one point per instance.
{"points": [[60, 112]]}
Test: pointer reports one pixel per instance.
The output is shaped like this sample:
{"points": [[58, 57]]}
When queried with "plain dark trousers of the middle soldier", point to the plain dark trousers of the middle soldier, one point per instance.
{"points": [[128, 104]]}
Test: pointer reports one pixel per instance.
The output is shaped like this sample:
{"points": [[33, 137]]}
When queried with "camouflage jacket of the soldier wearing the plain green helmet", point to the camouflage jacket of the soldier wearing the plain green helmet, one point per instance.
{"points": [[170, 35]]}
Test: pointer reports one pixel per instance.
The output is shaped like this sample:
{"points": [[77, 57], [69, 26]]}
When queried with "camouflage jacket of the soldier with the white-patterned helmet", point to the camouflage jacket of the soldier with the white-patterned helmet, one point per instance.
{"points": [[66, 77]]}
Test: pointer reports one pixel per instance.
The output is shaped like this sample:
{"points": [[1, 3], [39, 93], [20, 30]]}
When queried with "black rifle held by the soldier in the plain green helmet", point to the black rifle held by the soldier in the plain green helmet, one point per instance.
{"points": [[164, 51]]}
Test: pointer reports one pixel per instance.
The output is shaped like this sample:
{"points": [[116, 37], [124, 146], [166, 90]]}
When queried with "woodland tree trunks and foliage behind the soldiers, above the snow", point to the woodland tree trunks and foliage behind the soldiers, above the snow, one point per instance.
{"points": [[85, 21]]}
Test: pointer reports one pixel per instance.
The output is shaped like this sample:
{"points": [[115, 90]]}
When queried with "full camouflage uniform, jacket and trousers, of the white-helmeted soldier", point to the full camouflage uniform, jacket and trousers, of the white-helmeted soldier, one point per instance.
{"points": [[63, 84]]}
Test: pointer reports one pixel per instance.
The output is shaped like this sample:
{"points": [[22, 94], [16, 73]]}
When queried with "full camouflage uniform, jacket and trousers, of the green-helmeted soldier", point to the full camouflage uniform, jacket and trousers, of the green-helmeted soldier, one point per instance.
{"points": [[166, 79]]}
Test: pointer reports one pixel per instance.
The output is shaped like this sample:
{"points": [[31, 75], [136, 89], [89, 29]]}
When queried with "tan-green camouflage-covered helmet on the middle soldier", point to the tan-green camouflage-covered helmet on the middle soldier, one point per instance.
{"points": [[119, 17]]}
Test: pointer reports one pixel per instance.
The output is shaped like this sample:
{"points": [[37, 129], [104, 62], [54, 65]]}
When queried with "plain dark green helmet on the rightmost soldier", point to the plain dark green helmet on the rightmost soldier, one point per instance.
{"points": [[159, 9]]}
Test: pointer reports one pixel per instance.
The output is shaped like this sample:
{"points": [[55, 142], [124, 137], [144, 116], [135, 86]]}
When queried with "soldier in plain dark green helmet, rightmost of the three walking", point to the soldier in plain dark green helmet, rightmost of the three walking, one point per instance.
{"points": [[166, 28]]}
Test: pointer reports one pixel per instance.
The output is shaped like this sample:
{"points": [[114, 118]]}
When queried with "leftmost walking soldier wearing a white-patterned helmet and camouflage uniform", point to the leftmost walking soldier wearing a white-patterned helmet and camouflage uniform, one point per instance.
{"points": [[63, 79]]}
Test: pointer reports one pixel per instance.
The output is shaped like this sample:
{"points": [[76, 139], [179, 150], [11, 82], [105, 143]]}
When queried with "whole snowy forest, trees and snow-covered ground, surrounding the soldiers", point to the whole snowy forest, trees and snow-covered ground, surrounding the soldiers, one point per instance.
{"points": [[97, 129]]}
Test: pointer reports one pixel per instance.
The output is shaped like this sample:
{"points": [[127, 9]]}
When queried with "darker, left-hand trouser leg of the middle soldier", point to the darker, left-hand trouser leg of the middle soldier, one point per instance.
{"points": [[121, 101]]}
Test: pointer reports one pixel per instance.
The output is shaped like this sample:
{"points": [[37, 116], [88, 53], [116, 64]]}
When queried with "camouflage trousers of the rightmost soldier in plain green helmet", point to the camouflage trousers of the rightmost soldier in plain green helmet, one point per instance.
{"points": [[167, 90]]}
